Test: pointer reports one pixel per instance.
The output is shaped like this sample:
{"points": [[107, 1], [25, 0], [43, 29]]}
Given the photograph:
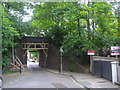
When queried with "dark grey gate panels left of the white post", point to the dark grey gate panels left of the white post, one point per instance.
{"points": [[102, 68]]}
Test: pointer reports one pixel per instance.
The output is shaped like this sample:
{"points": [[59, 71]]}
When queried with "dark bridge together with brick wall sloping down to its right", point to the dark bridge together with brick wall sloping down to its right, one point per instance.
{"points": [[49, 55]]}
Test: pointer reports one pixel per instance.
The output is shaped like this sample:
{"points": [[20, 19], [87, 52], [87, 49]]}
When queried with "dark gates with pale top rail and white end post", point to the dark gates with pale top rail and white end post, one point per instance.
{"points": [[103, 68]]}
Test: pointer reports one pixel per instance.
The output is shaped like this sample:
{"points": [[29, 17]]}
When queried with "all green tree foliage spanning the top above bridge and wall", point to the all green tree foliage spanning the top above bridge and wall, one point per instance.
{"points": [[75, 26]]}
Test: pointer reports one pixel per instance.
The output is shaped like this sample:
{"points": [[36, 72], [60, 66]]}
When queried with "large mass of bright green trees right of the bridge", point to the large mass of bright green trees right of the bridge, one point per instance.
{"points": [[77, 27]]}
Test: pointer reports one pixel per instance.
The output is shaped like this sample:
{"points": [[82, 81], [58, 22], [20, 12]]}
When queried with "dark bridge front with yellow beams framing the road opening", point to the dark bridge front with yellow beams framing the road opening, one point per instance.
{"points": [[39, 44]]}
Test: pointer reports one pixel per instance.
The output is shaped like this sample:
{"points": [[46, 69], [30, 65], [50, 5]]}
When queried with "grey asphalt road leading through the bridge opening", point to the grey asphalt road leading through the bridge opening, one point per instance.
{"points": [[37, 77]]}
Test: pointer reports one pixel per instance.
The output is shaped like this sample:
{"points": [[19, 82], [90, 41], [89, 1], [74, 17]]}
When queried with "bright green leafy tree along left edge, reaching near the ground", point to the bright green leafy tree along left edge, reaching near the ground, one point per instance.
{"points": [[8, 34]]}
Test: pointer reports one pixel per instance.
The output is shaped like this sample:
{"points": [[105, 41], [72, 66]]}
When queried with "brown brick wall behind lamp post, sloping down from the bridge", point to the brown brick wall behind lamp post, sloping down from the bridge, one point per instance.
{"points": [[53, 61]]}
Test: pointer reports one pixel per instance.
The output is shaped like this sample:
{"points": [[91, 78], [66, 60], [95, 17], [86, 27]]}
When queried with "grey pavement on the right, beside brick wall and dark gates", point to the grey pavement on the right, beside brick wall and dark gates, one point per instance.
{"points": [[87, 80]]}
